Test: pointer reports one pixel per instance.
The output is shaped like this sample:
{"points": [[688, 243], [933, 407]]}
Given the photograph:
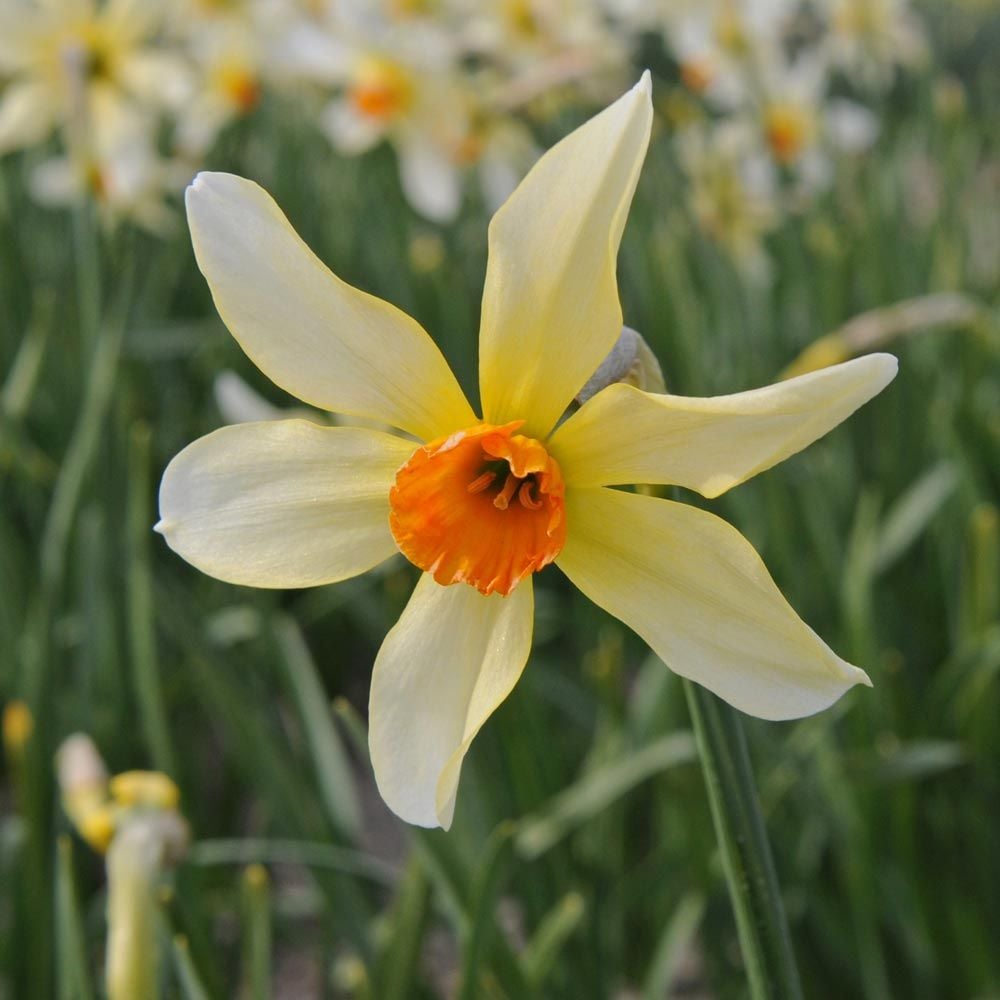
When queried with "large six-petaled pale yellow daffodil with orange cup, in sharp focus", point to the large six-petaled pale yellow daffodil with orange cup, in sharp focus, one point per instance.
{"points": [[481, 504]]}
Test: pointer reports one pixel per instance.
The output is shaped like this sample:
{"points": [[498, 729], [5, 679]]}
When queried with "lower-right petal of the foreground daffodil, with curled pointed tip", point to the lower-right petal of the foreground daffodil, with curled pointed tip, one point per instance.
{"points": [[696, 591]]}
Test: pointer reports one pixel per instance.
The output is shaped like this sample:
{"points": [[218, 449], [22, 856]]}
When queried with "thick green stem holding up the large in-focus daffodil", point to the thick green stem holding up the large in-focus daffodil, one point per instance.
{"points": [[746, 853]]}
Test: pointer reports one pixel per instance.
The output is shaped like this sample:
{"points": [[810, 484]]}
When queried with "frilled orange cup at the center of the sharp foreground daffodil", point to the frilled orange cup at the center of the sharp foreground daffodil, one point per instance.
{"points": [[483, 506]]}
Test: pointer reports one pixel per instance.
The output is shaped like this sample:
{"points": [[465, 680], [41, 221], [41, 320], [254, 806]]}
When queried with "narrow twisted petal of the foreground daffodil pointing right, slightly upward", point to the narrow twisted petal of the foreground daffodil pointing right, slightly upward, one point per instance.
{"points": [[624, 435]]}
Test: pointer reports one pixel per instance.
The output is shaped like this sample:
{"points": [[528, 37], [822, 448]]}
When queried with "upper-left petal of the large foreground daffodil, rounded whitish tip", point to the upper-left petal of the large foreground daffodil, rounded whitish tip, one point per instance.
{"points": [[332, 345]]}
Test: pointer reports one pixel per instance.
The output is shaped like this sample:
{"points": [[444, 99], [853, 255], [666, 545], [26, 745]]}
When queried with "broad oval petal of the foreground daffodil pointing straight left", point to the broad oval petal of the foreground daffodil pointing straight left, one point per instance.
{"points": [[283, 503]]}
